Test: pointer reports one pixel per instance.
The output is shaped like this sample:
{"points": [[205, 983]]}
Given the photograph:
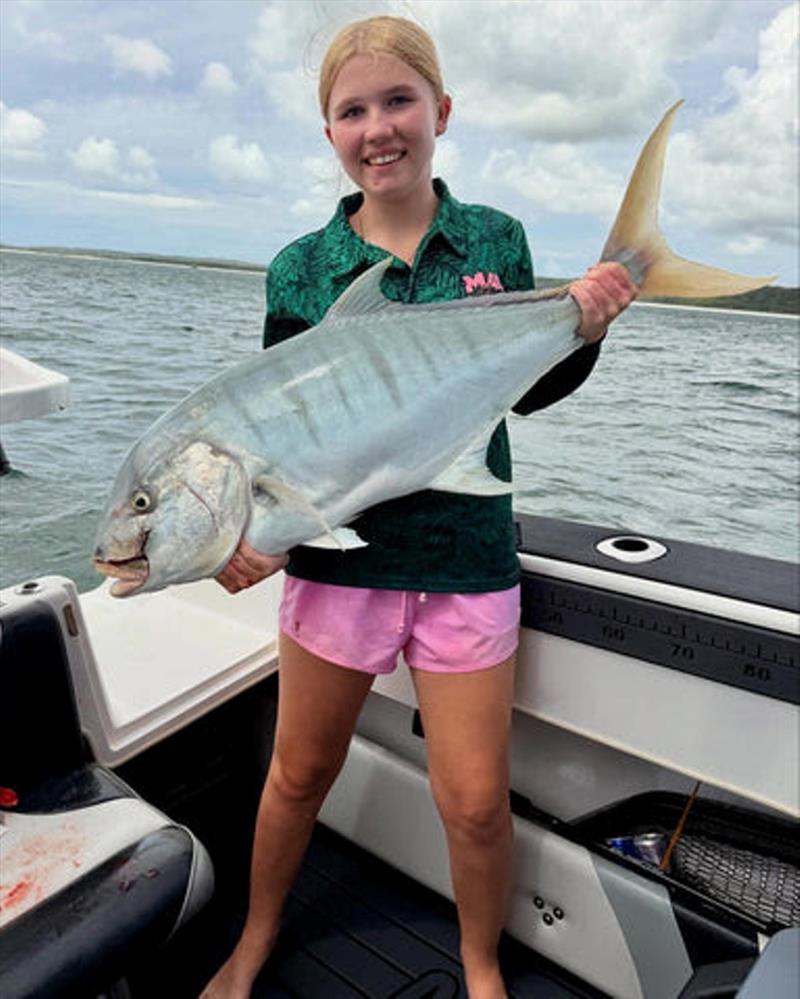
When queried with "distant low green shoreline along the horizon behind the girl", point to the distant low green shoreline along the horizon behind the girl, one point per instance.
{"points": [[769, 301]]}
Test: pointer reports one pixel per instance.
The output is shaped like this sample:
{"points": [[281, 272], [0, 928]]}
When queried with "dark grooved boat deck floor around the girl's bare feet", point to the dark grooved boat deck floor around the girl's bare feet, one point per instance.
{"points": [[354, 928]]}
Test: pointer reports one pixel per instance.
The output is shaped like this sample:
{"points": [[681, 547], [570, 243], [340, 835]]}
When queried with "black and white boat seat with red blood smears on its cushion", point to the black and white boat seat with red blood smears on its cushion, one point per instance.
{"points": [[93, 879]]}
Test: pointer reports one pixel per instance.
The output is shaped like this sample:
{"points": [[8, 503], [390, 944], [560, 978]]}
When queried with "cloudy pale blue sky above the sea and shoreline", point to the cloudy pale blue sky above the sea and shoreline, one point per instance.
{"points": [[190, 126]]}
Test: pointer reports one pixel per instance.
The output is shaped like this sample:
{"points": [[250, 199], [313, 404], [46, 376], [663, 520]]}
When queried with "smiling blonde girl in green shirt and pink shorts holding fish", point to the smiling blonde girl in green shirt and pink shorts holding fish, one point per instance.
{"points": [[439, 577]]}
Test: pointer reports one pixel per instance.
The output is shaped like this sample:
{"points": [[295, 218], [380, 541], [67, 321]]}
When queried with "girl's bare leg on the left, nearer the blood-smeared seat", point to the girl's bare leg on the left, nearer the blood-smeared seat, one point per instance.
{"points": [[318, 704]]}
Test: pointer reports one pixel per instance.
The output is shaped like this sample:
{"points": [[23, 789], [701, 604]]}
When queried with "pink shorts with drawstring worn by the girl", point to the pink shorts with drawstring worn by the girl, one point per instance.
{"points": [[366, 629]]}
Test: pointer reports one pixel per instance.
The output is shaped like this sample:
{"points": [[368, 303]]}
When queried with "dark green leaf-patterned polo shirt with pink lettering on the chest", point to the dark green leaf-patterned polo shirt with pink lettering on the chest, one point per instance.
{"points": [[429, 541]]}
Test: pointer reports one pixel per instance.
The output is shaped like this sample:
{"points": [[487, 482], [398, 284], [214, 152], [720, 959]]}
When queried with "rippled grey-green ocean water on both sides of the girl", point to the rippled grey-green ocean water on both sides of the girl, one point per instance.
{"points": [[687, 429]]}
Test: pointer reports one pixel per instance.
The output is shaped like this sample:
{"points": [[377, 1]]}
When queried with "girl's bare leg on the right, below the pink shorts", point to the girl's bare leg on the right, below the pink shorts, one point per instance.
{"points": [[467, 717]]}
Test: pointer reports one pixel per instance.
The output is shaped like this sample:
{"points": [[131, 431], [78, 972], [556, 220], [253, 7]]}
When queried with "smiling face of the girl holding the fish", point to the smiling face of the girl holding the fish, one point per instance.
{"points": [[383, 119]]}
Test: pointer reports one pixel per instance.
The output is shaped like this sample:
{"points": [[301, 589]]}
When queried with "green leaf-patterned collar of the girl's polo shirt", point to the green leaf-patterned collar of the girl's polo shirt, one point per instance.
{"points": [[348, 252]]}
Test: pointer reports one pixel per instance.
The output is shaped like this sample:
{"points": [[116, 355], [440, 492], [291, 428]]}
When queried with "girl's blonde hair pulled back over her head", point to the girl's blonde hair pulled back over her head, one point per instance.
{"points": [[387, 35]]}
